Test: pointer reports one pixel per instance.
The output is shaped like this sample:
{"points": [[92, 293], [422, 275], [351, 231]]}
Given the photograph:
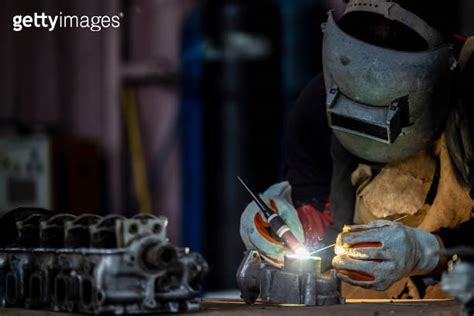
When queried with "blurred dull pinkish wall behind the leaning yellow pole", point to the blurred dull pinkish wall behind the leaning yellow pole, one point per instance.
{"points": [[70, 82]]}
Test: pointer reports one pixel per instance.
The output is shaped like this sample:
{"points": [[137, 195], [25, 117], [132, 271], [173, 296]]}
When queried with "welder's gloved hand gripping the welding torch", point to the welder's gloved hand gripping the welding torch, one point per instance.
{"points": [[254, 229]]}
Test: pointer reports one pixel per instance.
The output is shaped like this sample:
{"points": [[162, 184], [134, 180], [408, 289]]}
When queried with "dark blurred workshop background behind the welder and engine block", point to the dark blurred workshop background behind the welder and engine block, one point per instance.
{"points": [[164, 112]]}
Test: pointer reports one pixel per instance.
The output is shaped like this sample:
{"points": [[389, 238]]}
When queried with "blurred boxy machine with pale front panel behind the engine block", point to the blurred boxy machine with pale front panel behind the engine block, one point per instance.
{"points": [[61, 173]]}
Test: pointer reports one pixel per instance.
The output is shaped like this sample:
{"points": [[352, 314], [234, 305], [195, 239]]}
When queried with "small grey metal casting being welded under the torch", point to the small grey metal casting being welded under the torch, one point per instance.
{"points": [[299, 282]]}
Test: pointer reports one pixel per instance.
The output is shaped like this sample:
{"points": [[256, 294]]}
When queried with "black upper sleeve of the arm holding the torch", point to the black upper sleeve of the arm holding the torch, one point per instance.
{"points": [[307, 141]]}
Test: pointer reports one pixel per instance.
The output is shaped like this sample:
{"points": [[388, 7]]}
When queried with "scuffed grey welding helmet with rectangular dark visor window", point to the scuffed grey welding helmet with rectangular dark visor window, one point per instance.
{"points": [[385, 105]]}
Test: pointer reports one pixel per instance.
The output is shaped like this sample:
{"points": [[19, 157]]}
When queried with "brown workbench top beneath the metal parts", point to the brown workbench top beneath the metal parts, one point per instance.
{"points": [[352, 307]]}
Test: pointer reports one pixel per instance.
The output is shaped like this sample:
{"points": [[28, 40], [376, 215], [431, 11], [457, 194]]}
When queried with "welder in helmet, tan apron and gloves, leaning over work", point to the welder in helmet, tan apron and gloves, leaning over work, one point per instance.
{"points": [[385, 131]]}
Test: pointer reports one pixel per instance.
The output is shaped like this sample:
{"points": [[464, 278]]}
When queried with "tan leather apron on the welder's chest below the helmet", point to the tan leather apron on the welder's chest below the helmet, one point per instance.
{"points": [[424, 187]]}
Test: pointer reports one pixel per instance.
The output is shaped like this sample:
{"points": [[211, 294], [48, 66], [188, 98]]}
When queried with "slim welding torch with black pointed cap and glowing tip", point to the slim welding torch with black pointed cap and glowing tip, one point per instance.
{"points": [[276, 223]]}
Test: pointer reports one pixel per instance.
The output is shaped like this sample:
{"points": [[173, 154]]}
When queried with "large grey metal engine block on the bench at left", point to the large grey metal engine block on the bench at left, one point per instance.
{"points": [[93, 264]]}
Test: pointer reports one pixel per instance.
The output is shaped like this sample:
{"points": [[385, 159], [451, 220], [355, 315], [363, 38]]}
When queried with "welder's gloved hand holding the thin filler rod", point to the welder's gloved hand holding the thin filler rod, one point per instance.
{"points": [[376, 255]]}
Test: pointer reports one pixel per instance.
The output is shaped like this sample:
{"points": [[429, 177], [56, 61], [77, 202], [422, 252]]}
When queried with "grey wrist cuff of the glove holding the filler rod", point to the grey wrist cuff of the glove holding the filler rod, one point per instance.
{"points": [[428, 248]]}
